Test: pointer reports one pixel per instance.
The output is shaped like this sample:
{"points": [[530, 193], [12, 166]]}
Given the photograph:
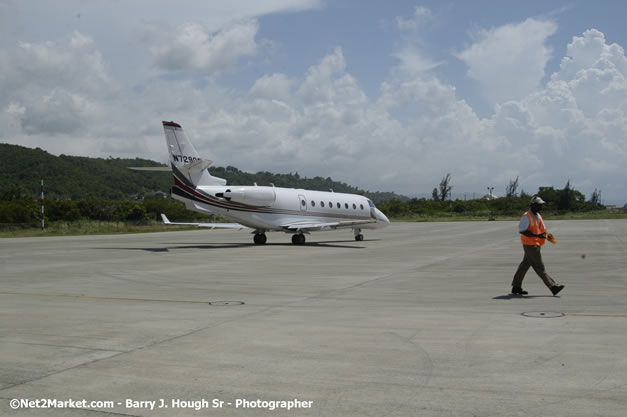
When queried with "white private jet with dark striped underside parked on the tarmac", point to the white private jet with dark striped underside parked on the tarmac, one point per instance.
{"points": [[262, 209]]}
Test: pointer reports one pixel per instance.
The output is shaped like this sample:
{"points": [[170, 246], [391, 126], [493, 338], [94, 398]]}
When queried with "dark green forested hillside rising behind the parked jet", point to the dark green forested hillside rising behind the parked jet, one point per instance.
{"points": [[79, 178]]}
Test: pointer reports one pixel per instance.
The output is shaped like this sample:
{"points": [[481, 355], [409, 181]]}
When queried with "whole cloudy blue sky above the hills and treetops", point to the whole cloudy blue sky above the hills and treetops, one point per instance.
{"points": [[383, 95]]}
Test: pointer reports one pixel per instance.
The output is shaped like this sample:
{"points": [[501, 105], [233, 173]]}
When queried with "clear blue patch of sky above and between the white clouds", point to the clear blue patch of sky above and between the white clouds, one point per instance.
{"points": [[368, 35]]}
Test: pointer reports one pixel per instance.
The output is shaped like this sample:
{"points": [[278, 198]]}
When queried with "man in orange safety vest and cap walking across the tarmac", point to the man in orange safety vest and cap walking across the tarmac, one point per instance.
{"points": [[533, 236]]}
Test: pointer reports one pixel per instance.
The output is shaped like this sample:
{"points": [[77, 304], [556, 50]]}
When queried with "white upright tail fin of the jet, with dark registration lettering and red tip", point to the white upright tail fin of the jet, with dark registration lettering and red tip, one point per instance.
{"points": [[187, 166]]}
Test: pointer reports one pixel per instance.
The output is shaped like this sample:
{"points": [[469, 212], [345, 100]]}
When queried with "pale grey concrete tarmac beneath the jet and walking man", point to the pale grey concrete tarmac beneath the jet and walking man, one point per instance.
{"points": [[415, 321]]}
